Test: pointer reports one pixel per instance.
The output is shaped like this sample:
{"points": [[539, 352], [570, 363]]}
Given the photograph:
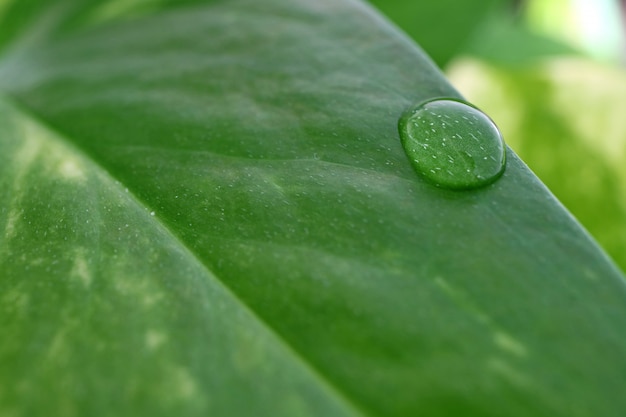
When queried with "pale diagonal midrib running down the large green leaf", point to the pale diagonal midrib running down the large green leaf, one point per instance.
{"points": [[59, 138]]}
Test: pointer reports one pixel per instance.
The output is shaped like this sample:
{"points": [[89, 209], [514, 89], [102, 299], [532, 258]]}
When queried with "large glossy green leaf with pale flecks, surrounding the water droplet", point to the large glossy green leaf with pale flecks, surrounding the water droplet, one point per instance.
{"points": [[207, 210]]}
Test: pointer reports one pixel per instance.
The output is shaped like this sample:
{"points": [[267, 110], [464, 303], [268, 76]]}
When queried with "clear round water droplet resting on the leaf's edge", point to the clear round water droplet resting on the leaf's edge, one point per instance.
{"points": [[474, 150]]}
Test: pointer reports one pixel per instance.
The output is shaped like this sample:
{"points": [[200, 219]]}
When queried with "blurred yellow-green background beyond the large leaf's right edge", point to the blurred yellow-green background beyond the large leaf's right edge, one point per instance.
{"points": [[552, 75]]}
